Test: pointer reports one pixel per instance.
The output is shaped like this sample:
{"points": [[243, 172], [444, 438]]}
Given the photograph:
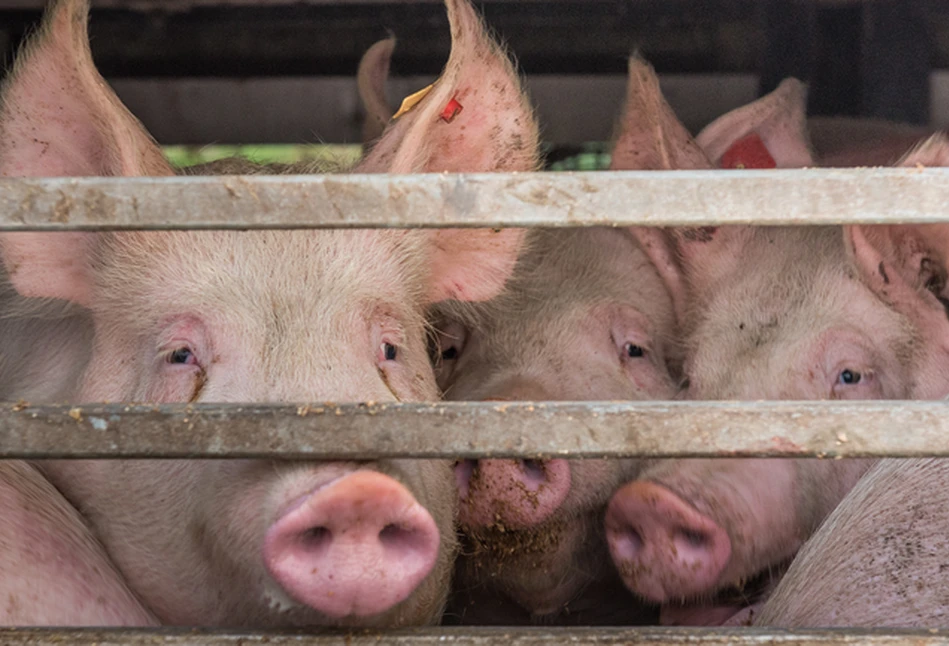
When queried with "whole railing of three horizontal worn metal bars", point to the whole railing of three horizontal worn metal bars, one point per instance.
{"points": [[478, 429]]}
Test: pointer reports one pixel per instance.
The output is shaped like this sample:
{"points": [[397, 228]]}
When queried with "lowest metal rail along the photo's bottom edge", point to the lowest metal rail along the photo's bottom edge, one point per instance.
{"points": [[482, 637]]}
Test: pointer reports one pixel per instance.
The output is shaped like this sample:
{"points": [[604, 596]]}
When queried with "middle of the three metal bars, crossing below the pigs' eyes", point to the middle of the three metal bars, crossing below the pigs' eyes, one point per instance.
{"points": [[477, 430]]}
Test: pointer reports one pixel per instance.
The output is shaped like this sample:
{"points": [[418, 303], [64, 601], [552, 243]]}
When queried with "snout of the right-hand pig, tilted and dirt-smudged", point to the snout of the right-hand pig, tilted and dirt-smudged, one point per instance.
{"points": [[663, 548]]}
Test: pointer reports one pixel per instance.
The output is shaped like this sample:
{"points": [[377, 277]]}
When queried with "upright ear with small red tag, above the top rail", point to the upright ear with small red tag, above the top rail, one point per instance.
{"points": [[475, 118]]}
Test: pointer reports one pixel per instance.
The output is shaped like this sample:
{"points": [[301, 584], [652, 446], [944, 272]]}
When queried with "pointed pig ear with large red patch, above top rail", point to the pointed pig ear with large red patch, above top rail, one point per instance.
{"points": [[770, 132]]}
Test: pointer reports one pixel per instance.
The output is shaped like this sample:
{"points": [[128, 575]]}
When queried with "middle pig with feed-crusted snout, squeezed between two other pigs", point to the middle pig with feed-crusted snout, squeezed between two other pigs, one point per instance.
{"points": [[532, 529]]}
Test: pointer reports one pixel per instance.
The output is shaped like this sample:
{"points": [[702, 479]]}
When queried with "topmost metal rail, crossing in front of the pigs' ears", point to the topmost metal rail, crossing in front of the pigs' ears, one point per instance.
{"points": [[666, 198]]}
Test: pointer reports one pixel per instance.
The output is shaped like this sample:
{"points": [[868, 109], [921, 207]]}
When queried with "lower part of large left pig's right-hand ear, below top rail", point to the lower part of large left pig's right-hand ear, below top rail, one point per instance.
{"points": [[472, 264]]}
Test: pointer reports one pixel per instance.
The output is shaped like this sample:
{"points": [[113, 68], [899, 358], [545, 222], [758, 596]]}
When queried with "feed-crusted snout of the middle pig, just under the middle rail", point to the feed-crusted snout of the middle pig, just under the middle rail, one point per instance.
{"points": [[515, 493]]}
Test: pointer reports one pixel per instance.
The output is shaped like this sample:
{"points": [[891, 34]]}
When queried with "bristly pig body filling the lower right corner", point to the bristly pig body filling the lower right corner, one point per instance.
{"points": [[879, 559]]}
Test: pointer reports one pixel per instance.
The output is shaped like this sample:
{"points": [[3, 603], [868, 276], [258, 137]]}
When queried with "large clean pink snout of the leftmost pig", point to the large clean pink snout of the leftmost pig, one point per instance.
{"points": [[357, 546]]}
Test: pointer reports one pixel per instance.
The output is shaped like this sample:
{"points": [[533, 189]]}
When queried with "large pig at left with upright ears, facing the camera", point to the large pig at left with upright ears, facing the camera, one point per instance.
{"points": [[261, 316]]}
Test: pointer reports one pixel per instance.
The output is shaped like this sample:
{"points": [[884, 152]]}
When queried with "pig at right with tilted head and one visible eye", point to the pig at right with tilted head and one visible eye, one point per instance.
{"points": [[853, 312]]}
